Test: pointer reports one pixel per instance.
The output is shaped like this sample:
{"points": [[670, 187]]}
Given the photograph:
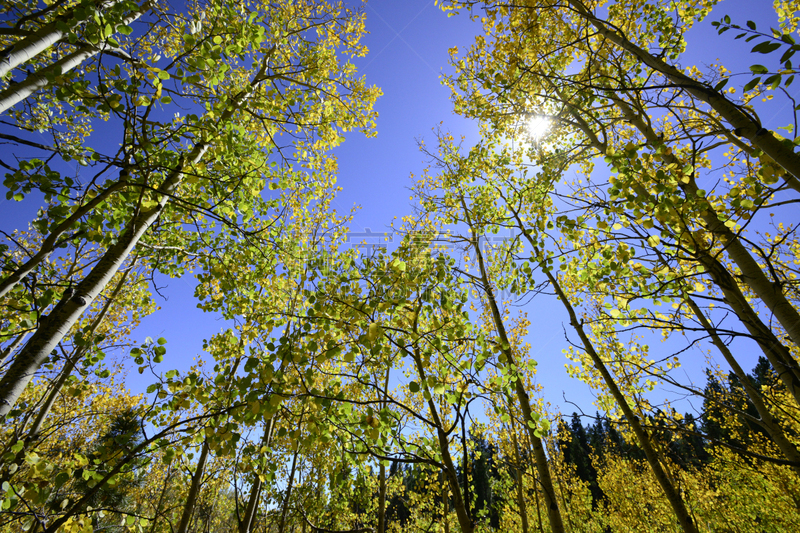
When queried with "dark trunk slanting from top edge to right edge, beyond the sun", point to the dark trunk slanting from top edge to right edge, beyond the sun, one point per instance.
{"points": [[744, 124]]}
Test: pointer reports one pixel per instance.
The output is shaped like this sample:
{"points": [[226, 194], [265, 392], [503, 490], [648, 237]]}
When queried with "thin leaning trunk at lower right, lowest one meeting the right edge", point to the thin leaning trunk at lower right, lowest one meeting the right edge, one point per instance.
{"points": [[769, 422]]}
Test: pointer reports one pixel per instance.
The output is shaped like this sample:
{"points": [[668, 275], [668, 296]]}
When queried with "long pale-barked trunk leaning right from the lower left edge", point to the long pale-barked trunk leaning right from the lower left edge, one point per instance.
{"points": [[58, 324]]}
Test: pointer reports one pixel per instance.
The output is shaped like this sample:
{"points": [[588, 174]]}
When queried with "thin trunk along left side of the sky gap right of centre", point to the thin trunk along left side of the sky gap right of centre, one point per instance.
{"points": [[553, 511]]}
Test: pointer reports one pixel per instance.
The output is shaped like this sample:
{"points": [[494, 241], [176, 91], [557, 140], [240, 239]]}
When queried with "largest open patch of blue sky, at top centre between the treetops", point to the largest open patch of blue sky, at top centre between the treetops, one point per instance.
{"points": [[408, 51]]}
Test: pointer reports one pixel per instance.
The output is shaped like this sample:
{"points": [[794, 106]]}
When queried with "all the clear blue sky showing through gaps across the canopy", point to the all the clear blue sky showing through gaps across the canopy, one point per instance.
{"points": [[408, 42]]}
